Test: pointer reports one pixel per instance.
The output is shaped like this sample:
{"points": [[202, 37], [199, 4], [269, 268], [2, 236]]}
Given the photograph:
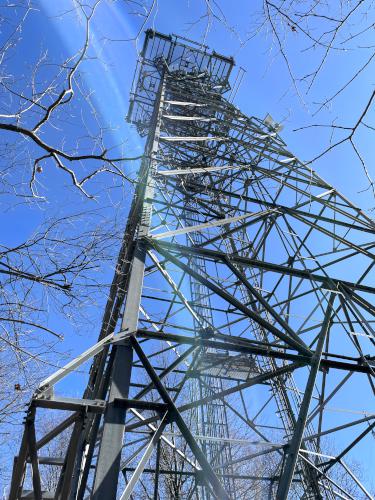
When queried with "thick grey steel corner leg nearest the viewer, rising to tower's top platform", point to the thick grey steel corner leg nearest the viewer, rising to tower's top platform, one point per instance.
{"points": [[109, 458]]}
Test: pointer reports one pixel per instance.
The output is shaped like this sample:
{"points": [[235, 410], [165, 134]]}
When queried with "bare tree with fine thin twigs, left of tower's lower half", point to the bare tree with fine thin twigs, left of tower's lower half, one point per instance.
{"points": [[57, 271]]}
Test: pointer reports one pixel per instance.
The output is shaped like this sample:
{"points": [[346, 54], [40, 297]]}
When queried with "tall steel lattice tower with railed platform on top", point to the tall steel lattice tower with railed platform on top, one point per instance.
{"points": [[239, 315]]}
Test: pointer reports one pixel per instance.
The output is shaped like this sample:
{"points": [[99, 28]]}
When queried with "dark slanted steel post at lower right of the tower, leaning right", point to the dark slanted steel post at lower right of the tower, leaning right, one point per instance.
{"points": [[295, 444]]}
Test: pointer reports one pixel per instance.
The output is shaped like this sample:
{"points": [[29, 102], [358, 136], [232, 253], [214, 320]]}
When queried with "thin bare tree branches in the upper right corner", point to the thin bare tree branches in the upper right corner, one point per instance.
{"points": [[310, 38]]}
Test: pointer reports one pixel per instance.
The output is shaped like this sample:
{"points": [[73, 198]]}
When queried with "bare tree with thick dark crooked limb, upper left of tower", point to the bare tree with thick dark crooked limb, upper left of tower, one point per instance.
{"points": [[42, 110]]}
